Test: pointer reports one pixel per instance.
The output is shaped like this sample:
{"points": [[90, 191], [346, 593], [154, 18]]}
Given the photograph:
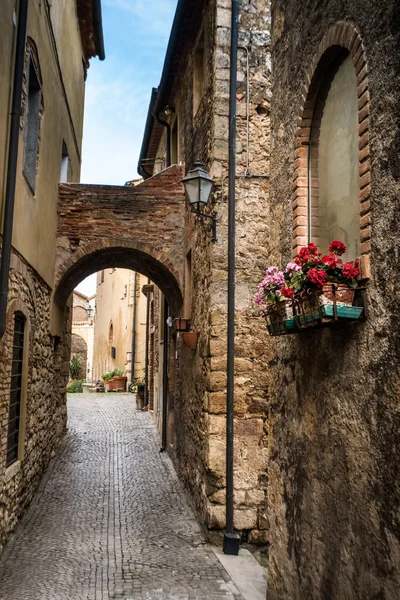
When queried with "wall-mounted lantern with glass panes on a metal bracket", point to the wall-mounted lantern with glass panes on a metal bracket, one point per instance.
{"points": [[198, 185]]}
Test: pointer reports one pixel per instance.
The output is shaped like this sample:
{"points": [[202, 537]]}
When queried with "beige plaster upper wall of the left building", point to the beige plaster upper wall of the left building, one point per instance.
{"points": [[62, 118]]}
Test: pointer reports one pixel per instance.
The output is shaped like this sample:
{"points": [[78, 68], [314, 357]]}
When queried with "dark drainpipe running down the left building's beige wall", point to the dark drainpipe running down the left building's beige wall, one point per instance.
{"points": [[12, 162]]}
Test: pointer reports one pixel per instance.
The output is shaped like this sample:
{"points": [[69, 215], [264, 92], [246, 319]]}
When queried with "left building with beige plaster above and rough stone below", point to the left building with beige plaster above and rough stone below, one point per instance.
{"points": [[60, 40]]}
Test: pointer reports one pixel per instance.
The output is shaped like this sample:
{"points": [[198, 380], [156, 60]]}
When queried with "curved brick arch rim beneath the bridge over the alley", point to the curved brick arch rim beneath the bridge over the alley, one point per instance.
{"points": [[104, 254]]}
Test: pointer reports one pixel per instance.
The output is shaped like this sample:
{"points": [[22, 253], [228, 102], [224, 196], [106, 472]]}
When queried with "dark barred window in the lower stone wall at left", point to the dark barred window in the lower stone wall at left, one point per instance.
{"points": [[14, 414]]}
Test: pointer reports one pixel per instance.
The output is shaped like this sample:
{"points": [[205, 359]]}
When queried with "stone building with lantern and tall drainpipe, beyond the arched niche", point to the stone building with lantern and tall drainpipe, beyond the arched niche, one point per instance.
{"points": [[193, 98]]}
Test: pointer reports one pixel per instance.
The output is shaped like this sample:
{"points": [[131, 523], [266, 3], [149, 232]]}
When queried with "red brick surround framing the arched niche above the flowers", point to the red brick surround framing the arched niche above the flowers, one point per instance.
{"points": [[340, 40]]}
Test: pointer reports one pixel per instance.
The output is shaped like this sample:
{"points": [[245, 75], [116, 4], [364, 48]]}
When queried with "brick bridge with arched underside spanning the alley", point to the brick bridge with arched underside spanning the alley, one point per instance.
{"points": [[138, 228]]}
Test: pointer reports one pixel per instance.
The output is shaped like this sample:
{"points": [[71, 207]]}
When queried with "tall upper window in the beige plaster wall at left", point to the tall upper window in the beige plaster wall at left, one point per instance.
{"points": [[32, 125]]}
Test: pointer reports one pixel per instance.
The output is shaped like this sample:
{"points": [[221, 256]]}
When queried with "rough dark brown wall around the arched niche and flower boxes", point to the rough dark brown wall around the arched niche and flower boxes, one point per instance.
{"points": [[333, 480]]}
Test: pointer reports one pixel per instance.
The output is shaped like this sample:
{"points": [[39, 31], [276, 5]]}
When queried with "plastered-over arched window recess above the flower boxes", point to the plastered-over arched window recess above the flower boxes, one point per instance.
{"points": [[333, 191]]}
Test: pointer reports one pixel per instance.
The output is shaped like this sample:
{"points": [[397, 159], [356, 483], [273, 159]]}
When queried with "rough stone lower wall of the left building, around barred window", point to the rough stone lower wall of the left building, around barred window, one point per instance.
{"points": [[45, 417]]}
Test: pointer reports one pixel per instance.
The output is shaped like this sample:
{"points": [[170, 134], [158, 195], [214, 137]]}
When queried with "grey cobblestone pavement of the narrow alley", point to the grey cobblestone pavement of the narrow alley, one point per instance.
{"points": [[111, 519]]}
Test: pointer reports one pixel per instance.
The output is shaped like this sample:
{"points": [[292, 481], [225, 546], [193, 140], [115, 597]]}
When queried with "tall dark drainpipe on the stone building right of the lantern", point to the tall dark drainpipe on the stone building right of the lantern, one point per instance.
{"points": [[231, 540]]}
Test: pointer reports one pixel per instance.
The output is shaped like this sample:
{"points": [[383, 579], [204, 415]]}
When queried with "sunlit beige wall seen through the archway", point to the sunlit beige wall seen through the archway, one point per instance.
{"points": [[114, 304]]}
